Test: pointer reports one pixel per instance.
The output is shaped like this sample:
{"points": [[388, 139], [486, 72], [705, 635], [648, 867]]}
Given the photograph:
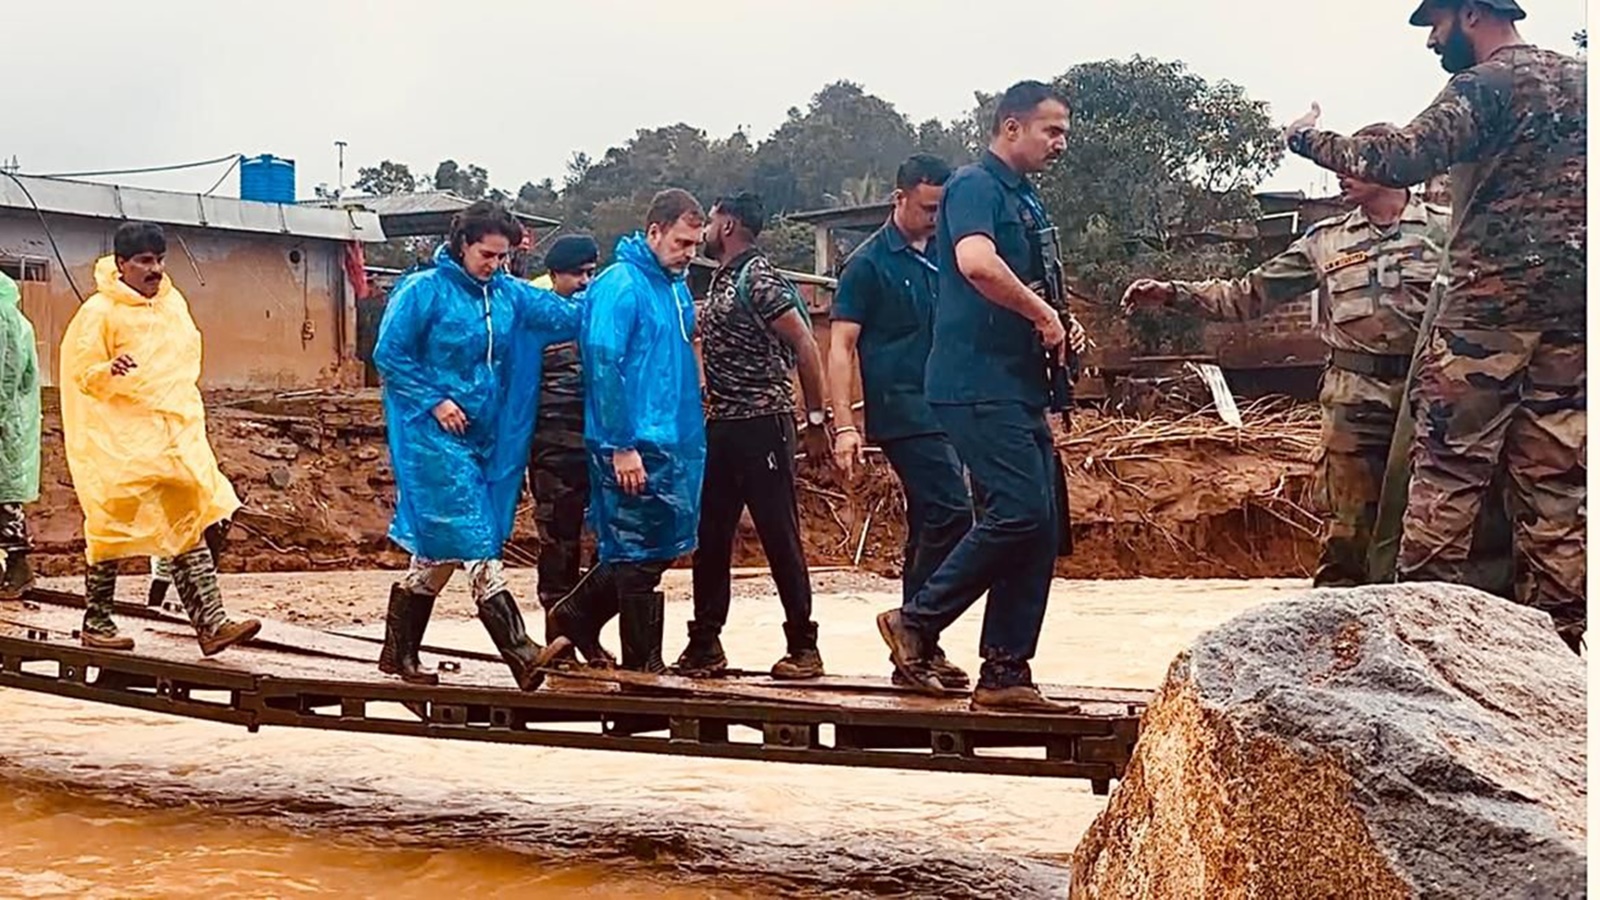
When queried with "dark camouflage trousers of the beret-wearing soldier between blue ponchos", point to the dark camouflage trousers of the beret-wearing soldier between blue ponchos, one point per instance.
{"points": [[561, 496]]}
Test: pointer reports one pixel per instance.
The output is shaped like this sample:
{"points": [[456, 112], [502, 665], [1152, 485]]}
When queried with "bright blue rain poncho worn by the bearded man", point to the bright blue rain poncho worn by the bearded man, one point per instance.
{"points": [[642, 393]]}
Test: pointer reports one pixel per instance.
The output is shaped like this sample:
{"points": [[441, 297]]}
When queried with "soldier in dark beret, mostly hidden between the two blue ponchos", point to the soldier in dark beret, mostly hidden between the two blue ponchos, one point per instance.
{"points": [[561, 464]]}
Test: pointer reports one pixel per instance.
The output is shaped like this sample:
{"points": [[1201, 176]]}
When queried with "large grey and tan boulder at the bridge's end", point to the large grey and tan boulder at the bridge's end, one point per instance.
{"points": [[1402, 741]]}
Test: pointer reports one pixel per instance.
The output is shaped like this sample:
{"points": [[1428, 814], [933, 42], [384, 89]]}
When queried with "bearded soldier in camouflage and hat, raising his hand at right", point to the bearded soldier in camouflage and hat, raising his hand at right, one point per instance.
{"points": [[1502, 377]]}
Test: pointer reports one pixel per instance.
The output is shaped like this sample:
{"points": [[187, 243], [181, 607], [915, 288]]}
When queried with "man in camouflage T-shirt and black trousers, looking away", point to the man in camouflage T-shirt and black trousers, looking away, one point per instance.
{"points": [[753, 334]]}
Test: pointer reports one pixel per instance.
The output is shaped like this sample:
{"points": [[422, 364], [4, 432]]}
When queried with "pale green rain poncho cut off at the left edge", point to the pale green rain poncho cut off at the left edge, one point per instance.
{"points": [[20, 412]]}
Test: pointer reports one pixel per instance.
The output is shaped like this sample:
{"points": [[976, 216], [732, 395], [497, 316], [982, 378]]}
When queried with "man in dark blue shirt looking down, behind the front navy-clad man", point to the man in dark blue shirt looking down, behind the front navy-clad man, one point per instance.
{"points": [[884, 318]]}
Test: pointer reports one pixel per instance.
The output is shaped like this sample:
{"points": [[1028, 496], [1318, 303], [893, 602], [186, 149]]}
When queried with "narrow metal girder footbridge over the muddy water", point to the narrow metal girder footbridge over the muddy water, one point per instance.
{"points": [[305, 678]]}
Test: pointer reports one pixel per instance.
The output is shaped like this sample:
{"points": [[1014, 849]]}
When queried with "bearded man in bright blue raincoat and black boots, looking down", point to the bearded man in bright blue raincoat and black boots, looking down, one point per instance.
{"points": [[646, 435]]}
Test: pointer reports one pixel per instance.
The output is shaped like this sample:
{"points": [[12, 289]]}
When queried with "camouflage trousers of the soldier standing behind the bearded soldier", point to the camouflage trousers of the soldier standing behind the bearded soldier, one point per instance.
{"points": [[1358, 427]]}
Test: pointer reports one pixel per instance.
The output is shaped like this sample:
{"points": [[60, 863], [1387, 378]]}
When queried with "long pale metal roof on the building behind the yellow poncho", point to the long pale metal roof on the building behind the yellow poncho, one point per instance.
{"points": [[170, 207]]}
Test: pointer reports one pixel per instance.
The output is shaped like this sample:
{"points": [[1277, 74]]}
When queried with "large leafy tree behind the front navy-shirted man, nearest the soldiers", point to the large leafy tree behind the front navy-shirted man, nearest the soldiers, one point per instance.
{"points": [[1156, 158]]}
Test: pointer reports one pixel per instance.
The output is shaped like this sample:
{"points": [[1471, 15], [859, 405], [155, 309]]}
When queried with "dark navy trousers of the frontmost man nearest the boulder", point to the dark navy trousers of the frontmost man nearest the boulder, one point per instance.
{"points": [[1012, 550]]}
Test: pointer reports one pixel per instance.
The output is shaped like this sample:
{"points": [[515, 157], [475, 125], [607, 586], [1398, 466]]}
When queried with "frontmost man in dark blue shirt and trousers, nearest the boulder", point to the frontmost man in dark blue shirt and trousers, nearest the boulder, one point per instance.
{"points": [[986, 384]]}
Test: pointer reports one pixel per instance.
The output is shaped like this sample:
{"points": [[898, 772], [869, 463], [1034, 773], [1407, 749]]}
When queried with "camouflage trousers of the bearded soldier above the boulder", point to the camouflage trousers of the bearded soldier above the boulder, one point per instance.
{"points": [[1511, 406]]}
